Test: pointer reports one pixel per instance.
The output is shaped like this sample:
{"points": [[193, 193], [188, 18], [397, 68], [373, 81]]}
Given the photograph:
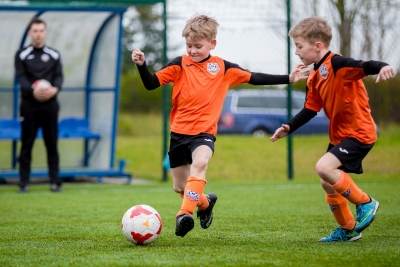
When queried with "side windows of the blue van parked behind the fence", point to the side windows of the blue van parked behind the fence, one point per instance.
{"points": [[267, 102]]}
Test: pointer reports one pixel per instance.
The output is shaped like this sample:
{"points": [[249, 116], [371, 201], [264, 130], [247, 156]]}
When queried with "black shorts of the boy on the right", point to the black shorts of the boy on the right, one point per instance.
{"points": [[350, 152]]}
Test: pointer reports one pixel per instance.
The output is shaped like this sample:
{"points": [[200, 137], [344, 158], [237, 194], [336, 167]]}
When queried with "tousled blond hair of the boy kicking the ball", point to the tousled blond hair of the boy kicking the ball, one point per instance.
{"points": [[200, 27]]}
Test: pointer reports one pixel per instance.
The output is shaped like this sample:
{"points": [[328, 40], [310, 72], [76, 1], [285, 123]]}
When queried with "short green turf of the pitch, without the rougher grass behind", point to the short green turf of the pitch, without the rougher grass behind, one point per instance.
{"points": [[256, 224]]}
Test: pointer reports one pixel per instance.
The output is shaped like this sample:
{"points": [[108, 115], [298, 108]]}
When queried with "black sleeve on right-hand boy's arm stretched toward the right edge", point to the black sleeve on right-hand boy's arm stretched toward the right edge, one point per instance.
{"points": [[370, 67]]}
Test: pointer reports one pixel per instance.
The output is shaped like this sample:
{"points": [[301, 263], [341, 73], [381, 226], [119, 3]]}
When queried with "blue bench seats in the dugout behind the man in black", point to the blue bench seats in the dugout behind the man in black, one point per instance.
{"points": [[70, 128]]}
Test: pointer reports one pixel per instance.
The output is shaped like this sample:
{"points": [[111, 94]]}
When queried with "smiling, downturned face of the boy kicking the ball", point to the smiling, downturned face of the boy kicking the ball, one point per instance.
{"points": [[199, 49]]}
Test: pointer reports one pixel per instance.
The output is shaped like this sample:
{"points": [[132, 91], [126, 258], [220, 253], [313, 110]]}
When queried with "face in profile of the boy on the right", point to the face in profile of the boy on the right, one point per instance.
{"points": [[308, 52]]}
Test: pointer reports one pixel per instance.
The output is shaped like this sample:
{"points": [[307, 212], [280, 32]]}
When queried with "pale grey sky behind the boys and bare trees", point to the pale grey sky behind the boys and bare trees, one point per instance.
{"points": [[252, 33]]}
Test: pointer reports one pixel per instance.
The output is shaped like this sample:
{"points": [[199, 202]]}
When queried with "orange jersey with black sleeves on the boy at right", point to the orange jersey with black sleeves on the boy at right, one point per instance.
{"points": [[335, 85]]}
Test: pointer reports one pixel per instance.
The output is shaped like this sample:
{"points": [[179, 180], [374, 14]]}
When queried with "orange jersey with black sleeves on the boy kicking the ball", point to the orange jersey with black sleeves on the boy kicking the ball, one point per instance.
{"points": [[199, 89]]}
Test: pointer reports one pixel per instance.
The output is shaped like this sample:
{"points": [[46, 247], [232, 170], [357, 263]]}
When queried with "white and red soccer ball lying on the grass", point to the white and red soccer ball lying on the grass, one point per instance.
{"points": [[141, 224]]}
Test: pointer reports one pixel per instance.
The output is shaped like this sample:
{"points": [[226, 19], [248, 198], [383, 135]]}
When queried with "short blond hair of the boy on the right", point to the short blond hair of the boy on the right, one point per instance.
{"points": [[312, 29]]}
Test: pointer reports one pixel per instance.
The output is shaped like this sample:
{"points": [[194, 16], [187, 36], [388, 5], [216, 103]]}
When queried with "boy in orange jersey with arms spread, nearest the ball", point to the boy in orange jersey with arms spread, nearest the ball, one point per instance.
{"points": [[200, 83]]}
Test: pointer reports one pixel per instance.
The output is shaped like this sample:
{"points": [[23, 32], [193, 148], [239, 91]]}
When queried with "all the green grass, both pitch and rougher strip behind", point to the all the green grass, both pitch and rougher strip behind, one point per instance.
{"points": [[261, 219]]}
